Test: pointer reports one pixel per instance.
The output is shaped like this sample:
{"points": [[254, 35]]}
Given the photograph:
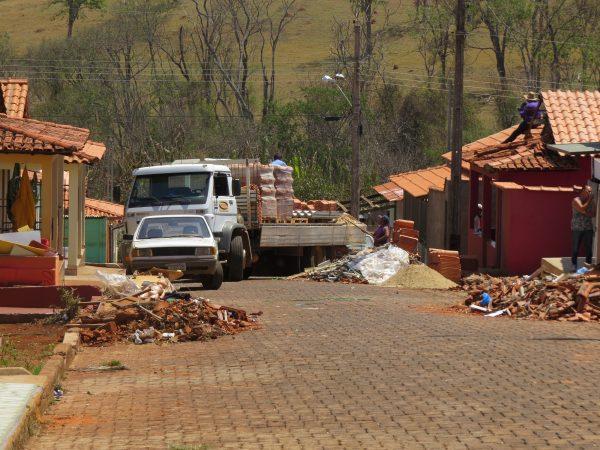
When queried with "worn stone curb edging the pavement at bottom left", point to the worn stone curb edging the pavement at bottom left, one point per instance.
{"points": [[52, 372]]}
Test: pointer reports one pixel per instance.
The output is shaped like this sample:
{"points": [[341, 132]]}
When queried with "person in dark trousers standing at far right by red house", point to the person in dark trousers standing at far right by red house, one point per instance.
{"points": [[582, 225]]}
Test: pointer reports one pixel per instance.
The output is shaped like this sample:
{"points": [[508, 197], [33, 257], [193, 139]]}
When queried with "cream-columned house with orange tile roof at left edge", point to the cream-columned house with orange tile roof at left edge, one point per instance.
{"points": [[52, 149]]}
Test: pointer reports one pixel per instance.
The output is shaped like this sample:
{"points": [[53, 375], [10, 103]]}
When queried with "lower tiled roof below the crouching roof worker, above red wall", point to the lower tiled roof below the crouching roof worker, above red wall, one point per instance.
{"points": [[527, 155]]}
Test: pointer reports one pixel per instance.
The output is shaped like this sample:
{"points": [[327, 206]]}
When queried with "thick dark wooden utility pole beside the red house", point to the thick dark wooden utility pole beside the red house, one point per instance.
{"points": [[457, 125]]}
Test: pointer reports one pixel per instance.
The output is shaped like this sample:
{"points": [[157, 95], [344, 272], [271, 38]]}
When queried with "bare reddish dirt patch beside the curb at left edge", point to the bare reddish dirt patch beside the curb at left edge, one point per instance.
{"points": [[28, 344]]}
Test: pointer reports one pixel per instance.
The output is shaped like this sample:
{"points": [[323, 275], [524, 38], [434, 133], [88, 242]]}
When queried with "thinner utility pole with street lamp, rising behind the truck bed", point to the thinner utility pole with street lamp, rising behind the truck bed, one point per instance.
{"points": [[356, 128]]}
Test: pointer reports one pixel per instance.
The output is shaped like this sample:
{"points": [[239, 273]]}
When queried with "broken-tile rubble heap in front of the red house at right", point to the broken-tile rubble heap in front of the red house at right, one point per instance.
{"points": [[566, 298]]}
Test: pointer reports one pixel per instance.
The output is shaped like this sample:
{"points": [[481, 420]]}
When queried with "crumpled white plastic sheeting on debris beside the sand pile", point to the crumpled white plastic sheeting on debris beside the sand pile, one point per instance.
{"points": [[379, 266]]}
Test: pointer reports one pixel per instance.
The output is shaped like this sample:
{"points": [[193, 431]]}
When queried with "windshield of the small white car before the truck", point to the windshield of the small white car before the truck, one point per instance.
{"points": [[169, 227]]}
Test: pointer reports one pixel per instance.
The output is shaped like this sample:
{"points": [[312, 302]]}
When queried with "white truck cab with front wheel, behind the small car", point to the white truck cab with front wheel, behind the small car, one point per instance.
{"points": [[207, 190]]}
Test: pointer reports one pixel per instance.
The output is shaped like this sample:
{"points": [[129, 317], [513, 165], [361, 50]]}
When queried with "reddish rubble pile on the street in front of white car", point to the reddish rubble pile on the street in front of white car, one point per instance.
{"points": [[155, 313]]}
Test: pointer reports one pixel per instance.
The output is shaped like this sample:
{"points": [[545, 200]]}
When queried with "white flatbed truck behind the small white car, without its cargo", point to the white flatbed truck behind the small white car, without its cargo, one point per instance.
{"points": [[209, 190]]}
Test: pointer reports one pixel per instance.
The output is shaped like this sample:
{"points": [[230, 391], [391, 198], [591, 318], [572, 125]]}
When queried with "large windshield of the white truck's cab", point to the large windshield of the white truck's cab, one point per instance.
{"points": [[169, 189]]}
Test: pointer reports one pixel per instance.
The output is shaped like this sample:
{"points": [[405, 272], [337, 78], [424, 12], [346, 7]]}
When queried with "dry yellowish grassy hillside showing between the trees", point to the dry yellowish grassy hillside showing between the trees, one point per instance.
{"points": [[304, 50]]}
